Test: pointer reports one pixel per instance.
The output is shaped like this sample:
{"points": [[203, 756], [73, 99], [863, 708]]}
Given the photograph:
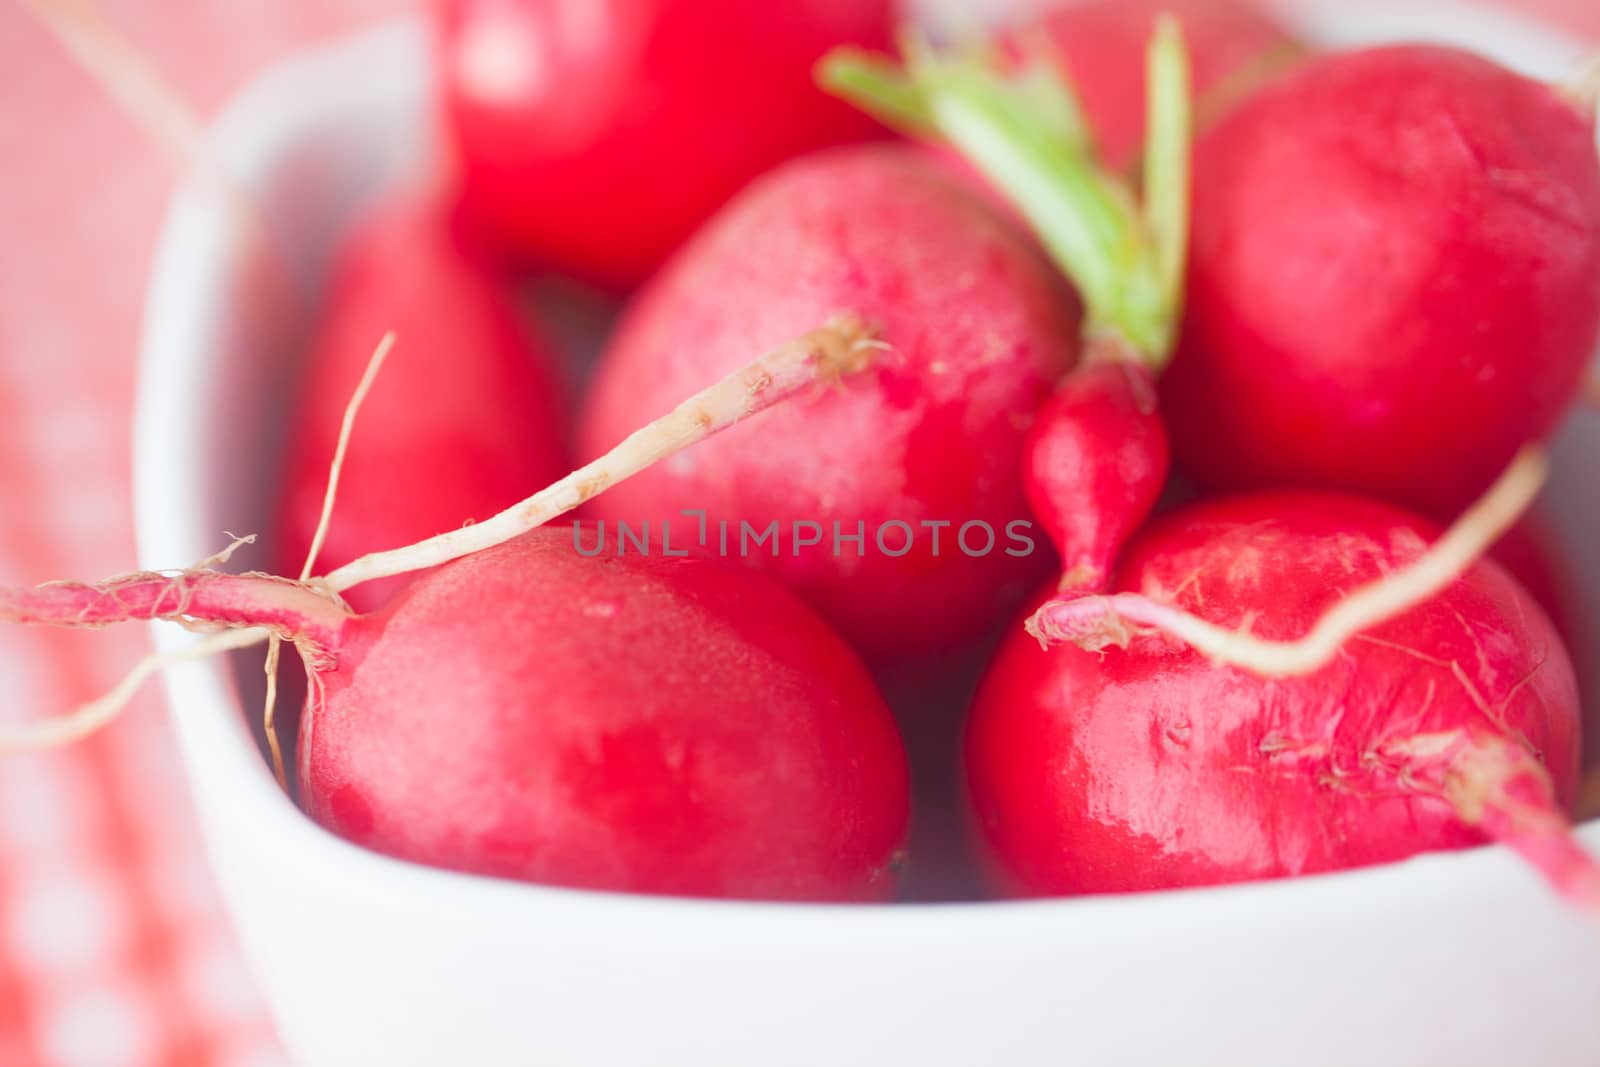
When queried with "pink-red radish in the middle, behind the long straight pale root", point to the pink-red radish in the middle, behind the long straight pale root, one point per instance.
{"points": [[977, 329]]}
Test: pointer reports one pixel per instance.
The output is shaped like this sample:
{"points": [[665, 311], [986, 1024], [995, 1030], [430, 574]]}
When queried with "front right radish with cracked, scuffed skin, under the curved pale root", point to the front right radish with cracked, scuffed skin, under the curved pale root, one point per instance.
{"points": [[1151, 767]]}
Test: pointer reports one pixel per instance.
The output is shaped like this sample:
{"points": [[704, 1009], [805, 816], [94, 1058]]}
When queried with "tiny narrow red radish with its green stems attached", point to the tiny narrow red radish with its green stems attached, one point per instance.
{"points": [[1097, 460]]}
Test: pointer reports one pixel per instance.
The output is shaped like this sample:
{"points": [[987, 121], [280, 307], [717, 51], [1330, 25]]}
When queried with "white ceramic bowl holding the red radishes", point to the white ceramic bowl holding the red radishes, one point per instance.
{"points": [[1454, 961]]}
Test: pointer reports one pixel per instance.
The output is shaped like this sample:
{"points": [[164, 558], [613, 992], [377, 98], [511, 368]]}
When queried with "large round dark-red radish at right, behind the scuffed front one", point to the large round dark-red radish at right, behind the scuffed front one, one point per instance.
{"points": [[1396, 279]]}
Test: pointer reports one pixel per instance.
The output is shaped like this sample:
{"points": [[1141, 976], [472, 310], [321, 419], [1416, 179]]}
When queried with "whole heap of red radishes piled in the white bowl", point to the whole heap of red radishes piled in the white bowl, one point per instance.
{"points": [[1108, 246]]}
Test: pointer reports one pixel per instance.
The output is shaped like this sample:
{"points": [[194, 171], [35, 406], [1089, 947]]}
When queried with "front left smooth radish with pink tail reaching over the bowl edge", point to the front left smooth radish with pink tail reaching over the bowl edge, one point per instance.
{"points": [[650, 725]]}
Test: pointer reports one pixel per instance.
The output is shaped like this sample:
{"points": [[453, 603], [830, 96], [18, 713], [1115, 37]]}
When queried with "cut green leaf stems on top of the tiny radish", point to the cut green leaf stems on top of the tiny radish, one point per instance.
{"points": [[1025, 132]]}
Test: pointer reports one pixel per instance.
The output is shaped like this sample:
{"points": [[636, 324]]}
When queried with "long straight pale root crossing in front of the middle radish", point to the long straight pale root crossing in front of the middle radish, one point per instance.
{"points": [[825, 356]]}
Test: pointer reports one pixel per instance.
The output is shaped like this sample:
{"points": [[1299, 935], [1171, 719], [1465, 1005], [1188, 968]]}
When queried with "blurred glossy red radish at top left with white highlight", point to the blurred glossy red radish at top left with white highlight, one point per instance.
{"points": [[596, 137]]}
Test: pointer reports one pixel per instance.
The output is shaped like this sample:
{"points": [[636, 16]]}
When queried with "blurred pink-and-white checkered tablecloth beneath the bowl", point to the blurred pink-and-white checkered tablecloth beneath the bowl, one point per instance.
{"points": [[113, 946]]}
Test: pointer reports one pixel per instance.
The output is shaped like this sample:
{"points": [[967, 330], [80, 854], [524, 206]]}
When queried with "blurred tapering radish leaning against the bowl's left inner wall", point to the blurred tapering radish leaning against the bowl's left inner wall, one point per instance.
{"points": [[466, 420]]}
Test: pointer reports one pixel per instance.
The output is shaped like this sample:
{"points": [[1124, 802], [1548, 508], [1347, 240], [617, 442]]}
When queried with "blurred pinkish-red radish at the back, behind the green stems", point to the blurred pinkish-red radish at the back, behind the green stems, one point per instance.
{"points": [[1103, 46]]}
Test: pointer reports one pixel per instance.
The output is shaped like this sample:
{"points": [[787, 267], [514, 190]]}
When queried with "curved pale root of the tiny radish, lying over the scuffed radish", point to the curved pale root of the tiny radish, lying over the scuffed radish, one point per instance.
{"points": [[1097, 623]]}
